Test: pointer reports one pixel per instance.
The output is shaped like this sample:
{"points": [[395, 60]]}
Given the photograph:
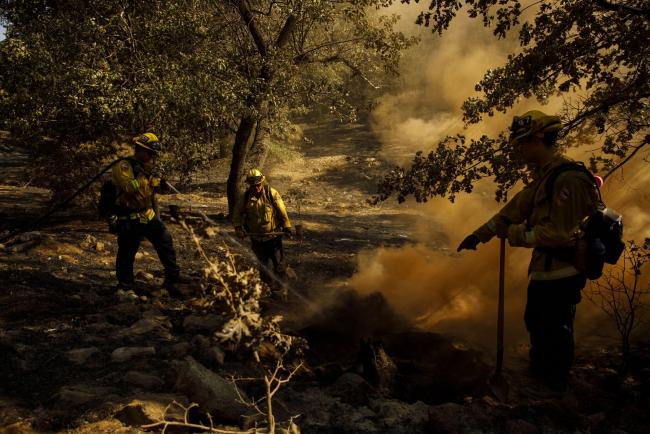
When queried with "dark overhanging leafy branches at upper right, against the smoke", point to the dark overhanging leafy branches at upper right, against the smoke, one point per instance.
{"points": [[592, 53]]}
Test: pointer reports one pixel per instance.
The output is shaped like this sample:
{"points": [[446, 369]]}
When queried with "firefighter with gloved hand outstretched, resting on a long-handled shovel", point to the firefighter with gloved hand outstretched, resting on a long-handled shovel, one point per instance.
{"points": [[545, 219]]}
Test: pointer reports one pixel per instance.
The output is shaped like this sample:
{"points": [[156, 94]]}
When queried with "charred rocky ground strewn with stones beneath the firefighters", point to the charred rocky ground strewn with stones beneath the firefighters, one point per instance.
{"points": [[77, 357]]}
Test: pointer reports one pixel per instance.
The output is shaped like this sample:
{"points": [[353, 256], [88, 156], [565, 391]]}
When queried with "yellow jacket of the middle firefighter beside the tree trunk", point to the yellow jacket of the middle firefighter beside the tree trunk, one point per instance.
{"points": [[257, 215]]}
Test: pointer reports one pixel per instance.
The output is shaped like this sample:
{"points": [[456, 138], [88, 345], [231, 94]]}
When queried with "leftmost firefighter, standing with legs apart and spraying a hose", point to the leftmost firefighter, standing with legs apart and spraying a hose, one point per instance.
{"points": [[137, 214]]}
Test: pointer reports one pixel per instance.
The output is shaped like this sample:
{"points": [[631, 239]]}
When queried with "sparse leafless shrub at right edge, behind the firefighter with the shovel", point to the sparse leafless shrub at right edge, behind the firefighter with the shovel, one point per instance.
{"points": [[620, 293]]}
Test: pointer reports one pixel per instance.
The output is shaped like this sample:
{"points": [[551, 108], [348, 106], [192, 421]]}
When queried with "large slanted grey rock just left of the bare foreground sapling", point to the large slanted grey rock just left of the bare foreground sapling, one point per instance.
{"points": [[213, 393]]}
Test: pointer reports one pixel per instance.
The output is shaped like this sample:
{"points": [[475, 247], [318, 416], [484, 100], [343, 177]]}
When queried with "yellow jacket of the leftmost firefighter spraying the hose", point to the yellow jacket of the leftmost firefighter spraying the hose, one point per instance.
{"points": [[135, 190]]}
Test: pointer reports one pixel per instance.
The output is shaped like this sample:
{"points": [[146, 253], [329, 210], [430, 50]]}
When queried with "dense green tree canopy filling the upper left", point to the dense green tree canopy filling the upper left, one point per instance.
{"points": [[78, 77]]}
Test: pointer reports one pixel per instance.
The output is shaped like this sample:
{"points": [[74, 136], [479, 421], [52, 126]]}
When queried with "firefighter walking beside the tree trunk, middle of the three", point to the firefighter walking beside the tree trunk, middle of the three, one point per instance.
{"points": [[261, 212]]}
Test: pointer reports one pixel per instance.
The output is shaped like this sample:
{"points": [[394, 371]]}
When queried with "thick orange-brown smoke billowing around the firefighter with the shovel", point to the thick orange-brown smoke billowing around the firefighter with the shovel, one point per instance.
{"points": [[428, 281]]}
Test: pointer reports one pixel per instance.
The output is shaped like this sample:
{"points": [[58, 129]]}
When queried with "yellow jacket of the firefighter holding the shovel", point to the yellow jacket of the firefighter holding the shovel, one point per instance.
{"points": [[547, 224]]}
